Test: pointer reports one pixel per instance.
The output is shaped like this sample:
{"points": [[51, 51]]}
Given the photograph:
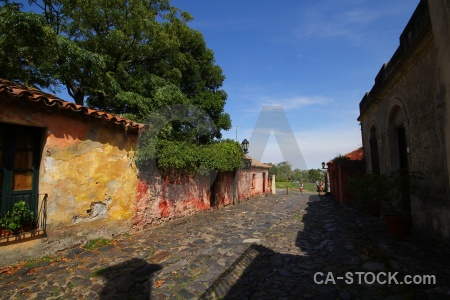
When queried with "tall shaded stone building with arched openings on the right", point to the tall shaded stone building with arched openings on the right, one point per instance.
{"points": [[405, 118]]}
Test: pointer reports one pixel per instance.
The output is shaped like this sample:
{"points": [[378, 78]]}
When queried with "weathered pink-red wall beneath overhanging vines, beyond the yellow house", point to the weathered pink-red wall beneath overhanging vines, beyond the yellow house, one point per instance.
{"points": [[162, 199]]}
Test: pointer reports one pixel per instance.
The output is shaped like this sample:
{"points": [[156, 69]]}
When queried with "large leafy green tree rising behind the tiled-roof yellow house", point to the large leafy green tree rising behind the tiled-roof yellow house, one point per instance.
{"points": [[129, 57]]}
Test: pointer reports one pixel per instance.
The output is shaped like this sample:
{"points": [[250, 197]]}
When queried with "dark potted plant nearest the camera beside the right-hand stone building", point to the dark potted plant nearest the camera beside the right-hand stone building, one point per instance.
{"points": [[396, 204]]}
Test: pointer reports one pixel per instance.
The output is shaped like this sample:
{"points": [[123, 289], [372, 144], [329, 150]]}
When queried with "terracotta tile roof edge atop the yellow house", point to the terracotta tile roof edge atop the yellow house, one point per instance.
{"points": [[24, 93]]}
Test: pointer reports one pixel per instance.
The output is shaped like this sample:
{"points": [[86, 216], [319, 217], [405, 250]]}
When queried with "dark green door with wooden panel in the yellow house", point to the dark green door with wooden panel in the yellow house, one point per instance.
{"points": [[19, 165]]}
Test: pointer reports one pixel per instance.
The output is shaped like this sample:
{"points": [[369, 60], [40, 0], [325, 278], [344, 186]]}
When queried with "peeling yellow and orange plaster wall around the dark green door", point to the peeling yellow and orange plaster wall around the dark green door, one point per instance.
{"points": [[87, 169]]}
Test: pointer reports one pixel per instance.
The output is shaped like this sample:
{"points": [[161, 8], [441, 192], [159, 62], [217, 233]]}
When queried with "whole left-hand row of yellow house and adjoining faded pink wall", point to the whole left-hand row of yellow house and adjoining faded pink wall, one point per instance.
{"points": [[75, 167]]}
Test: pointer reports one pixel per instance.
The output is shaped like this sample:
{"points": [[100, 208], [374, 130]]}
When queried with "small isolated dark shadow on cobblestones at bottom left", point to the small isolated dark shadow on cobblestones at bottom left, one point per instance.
{"points": [[131, 279]]}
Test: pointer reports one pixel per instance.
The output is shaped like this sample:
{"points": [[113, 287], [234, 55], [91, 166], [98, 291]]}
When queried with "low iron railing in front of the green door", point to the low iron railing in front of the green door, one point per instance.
{"points": [[39, 227]]}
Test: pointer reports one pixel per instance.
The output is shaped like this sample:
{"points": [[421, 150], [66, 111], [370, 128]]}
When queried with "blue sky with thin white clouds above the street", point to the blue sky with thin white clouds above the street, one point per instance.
{"points": [[316, 59]]}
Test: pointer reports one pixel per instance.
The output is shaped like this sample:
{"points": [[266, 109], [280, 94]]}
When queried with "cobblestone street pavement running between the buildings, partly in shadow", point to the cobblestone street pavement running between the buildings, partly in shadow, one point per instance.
{"points": [[265, 248]]}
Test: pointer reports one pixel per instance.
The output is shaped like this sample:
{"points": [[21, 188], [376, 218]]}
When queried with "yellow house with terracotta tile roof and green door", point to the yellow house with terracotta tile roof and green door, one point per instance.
{"points": [[74, 166]]}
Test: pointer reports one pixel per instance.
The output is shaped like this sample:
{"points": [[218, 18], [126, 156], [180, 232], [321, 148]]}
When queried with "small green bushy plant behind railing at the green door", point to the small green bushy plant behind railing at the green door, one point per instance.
{"points": [[19, 217]]}
